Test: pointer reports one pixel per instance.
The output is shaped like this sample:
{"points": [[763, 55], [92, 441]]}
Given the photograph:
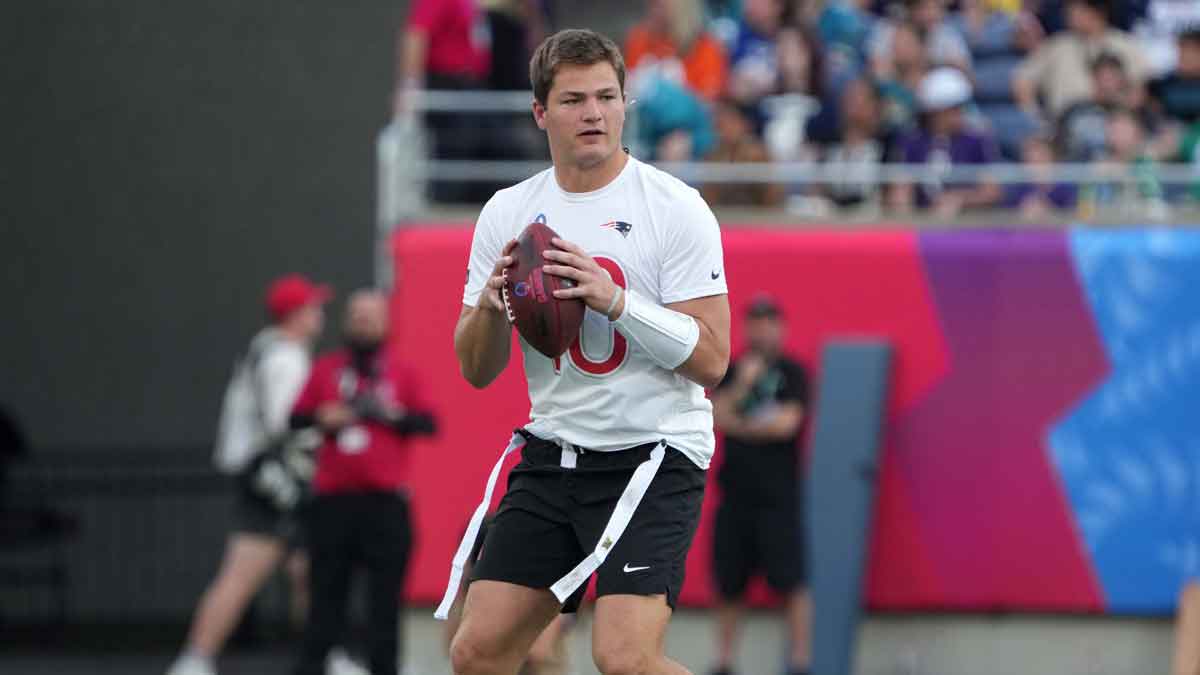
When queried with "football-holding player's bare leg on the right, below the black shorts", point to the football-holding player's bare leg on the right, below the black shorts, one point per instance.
{"points": [[629, 635]]}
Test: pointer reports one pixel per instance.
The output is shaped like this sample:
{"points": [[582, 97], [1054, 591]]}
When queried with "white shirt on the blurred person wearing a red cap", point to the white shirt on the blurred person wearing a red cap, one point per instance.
{"points": [[260, 398]]}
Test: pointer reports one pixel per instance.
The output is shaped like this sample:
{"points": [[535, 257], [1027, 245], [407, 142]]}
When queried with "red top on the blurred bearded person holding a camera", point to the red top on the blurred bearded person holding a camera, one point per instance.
{"points": [[373, 455]]}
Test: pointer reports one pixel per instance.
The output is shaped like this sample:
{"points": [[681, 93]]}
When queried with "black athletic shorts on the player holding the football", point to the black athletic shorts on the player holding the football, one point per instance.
{"points": [[551, 518]]}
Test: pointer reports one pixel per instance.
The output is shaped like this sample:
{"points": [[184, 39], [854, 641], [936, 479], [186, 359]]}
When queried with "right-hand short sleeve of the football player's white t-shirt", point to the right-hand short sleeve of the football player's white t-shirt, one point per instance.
{"points": [[694, 262]]}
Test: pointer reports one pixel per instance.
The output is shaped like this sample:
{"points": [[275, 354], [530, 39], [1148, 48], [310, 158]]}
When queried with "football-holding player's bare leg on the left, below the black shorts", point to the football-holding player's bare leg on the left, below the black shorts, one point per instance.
{"points": [[500, 624]]}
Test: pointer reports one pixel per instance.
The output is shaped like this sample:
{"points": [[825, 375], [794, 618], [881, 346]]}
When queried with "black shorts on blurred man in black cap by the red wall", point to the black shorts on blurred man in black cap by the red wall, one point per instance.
{"points": [[753, 539]]}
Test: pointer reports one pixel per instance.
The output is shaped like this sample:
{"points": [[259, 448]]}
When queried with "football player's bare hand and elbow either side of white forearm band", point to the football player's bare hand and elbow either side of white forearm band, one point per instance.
{"points": [[709, 360]]}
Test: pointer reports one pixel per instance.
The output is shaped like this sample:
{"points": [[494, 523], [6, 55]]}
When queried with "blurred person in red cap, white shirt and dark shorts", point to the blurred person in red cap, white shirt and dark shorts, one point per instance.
{"points": [[254, 421]]}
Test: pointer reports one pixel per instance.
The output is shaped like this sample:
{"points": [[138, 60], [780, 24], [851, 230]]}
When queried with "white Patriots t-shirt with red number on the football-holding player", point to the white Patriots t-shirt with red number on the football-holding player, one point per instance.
{"points": [[657, 237]]}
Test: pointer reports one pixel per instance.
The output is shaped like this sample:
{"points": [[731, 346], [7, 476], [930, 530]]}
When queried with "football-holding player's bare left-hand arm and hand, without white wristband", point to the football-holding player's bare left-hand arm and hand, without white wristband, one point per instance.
{"points": [[483, 336]]}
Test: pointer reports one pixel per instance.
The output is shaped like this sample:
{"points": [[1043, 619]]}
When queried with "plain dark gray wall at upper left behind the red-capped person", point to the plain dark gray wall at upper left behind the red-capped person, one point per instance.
{"points": [[163, 160]]}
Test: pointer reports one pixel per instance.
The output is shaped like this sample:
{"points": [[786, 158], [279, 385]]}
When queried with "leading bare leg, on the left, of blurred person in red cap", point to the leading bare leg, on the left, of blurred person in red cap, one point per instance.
{"points": [[249, 560]]}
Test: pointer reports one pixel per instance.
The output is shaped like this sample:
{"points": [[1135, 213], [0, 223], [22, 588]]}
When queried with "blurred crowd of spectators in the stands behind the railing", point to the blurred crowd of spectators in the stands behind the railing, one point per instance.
{"points": [[856, 85]]}
